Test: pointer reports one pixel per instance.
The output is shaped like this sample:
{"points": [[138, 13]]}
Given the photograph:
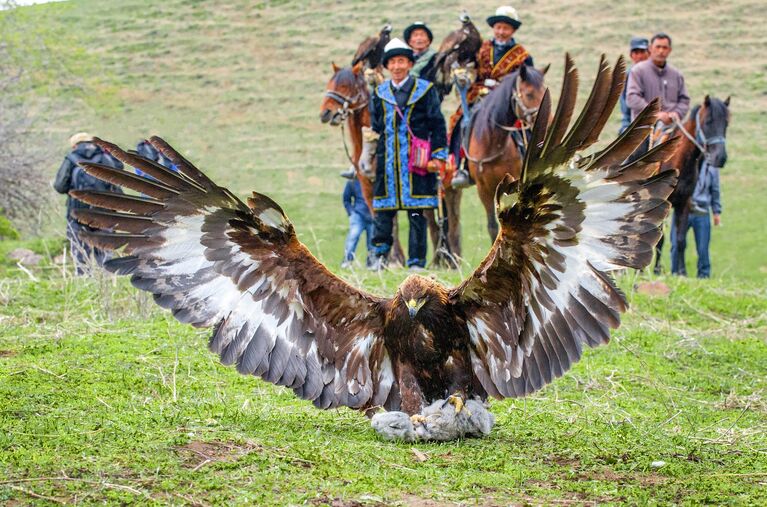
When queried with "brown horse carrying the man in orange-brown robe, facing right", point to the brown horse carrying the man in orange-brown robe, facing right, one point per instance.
{"points": [[497, 134]]}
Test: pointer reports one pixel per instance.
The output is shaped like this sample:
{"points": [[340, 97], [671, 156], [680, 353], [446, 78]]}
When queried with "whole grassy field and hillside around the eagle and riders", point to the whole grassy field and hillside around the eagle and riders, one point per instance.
{"points": [[104, 398]]}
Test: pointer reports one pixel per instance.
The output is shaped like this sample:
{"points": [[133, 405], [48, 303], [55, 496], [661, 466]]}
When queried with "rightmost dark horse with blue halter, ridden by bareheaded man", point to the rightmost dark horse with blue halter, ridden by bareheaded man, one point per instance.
{"points": [[703, 141]]}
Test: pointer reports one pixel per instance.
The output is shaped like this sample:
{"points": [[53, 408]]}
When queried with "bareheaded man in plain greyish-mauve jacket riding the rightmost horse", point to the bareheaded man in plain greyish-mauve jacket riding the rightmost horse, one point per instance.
{"points": [[655, 77]]}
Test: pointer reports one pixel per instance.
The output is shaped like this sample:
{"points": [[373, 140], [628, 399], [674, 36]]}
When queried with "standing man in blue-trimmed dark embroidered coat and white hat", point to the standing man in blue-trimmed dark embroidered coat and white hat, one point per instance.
{"points": [[396, 187]]}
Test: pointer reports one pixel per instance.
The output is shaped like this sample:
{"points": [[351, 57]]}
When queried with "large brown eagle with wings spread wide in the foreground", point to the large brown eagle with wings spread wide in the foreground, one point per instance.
{"points": [[522, 318]]}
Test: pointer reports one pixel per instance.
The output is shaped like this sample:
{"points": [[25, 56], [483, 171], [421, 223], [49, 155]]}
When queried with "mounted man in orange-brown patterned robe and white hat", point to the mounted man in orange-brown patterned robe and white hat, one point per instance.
{"points": [[496, 58]]}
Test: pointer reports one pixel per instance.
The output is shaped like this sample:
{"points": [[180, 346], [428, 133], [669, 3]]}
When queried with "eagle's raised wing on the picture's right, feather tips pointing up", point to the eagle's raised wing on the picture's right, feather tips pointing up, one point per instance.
{"points": [[544, 290]]}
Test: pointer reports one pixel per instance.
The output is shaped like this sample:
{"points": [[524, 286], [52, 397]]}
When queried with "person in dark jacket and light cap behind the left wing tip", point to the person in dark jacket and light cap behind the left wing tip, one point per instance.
{"points": [[72, 177]]}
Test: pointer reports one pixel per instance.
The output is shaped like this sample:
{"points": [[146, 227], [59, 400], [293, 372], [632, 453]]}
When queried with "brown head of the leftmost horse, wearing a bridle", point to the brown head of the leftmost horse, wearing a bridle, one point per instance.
{"points": [[346, 92]]}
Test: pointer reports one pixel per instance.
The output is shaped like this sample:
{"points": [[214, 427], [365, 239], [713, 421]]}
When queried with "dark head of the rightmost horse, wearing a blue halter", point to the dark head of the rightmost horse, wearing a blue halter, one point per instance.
{"points": [[711, 121]]}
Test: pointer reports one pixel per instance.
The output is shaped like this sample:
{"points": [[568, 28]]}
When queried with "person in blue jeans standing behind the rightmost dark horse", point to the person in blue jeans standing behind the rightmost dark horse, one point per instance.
{"points": [[705, 201]]}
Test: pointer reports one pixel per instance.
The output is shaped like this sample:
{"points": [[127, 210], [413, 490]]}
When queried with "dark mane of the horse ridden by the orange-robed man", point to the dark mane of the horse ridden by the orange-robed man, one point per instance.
{"points": [[496, 110]]}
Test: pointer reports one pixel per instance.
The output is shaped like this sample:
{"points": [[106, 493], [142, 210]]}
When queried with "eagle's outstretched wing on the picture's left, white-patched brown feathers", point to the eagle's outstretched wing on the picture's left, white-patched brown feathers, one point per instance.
{"points": [[214, 261]]}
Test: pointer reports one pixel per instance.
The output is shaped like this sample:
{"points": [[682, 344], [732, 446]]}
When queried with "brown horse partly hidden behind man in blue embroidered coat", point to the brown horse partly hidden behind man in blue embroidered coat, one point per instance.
{"points": [[346, 99]]}
